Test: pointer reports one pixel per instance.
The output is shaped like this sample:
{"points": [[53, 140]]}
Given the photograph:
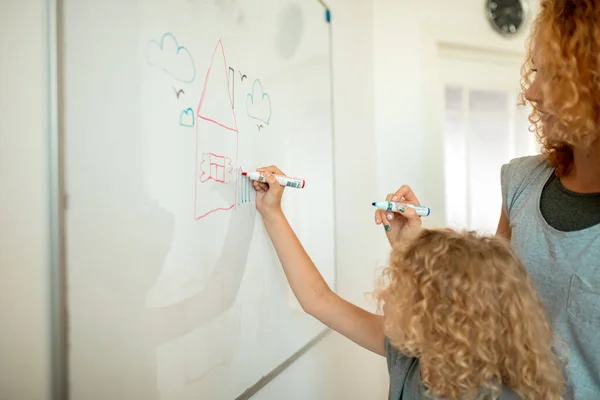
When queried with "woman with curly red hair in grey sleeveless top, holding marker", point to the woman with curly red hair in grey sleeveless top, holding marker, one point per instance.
{"points": [[551, 203]]}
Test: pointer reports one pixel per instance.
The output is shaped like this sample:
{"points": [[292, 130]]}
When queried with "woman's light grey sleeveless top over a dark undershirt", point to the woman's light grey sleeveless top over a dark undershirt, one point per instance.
{"points": [[565, 268]]}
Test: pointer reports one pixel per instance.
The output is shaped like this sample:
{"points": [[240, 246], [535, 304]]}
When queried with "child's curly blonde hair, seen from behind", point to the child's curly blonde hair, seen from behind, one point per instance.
{"points": [[464, 305]]}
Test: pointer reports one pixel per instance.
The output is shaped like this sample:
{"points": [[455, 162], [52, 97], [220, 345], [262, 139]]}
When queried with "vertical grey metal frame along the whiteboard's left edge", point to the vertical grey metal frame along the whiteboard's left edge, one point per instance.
{"points": [[58, 293]]}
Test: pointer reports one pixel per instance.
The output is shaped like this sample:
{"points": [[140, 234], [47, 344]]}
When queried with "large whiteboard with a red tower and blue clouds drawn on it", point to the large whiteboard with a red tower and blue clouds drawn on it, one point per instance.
{"points": [[174, 289]]}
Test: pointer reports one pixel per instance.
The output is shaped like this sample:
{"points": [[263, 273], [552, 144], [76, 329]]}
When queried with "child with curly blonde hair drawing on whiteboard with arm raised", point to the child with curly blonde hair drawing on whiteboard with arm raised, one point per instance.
{"points": [[460, 320]]}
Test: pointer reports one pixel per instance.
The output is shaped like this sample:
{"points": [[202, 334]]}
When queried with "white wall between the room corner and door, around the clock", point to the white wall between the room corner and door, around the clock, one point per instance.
{"points": [[408, 97]]}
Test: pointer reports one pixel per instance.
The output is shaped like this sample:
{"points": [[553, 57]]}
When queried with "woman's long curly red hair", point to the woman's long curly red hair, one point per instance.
{"points": [[565, 38]]}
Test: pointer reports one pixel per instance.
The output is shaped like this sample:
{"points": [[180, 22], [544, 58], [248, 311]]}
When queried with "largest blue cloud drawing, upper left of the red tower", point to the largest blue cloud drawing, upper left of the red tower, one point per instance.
{"points": [[172, 58]]}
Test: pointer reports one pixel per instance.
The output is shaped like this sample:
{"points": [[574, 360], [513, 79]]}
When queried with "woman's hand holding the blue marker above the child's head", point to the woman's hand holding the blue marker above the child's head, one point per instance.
{"points": [[397, 225]]}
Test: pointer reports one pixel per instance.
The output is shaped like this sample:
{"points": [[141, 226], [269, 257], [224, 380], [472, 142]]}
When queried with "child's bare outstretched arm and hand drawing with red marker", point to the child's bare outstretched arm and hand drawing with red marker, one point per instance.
{"points": [[309, 287]]}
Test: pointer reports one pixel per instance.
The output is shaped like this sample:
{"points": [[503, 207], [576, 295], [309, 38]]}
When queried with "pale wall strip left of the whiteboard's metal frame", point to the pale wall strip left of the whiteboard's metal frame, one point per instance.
{"points": [[24, 267]]}
